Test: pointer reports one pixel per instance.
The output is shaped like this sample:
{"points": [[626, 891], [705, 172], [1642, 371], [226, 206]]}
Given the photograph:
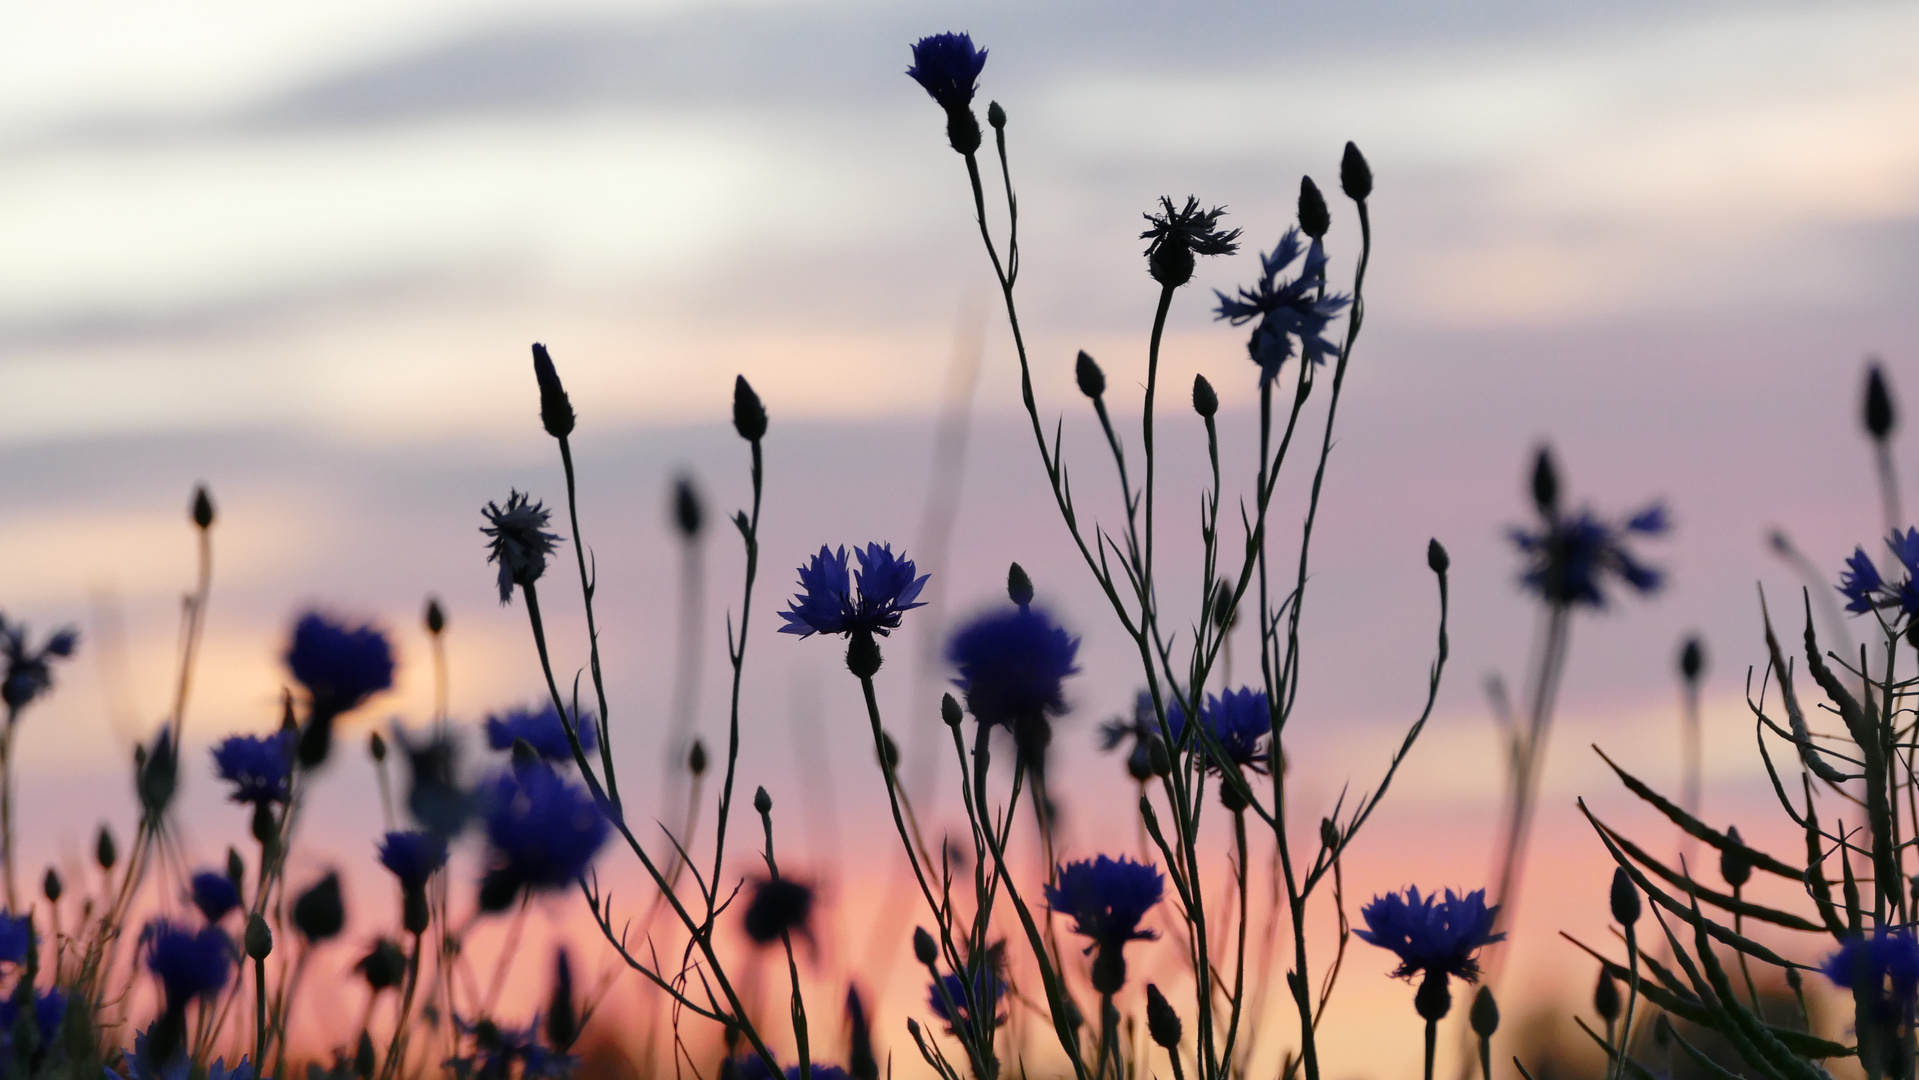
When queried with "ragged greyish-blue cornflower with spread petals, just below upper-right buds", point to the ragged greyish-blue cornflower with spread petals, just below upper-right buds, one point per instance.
{"points": [[1287, 312]]}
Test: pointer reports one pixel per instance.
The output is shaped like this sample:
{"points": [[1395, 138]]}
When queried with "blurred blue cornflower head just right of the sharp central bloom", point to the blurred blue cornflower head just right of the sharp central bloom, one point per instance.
{"points": [[1012, 665]]}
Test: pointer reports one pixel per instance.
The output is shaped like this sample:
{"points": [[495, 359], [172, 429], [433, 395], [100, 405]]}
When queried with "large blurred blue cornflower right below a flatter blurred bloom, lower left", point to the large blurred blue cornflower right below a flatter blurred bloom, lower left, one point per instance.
{"points": [[542, 830]]}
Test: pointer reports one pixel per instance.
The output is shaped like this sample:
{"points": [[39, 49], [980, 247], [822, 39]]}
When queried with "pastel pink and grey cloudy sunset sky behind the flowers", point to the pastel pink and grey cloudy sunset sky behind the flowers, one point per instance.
{"points": [[300, 252]]}
